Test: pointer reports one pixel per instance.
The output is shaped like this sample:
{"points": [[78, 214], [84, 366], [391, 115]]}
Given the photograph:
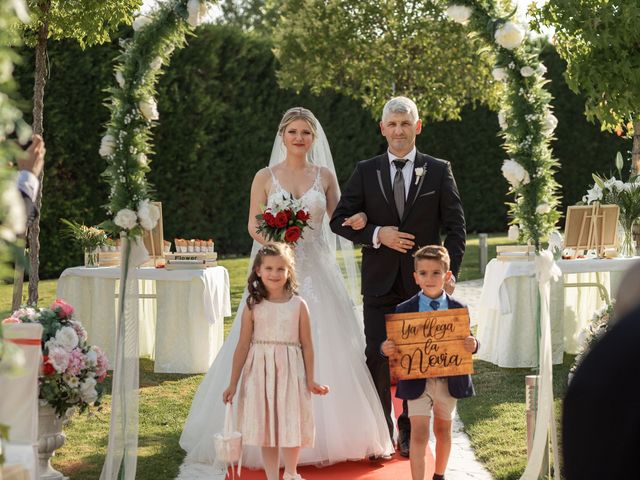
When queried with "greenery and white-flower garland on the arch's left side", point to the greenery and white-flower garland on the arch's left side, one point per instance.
{"points": [[127, 143]]}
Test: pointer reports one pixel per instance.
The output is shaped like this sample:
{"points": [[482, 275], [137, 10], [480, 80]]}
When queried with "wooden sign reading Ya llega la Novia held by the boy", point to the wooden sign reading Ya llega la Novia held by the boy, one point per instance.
{"points": [[430, 344]]}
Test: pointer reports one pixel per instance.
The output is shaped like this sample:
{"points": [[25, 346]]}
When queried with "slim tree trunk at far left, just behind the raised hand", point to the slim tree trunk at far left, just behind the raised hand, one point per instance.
{"points": [[38, 111]]}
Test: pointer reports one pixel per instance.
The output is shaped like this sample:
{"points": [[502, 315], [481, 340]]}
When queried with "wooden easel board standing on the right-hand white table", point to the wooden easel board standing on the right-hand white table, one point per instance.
{"points": [[591, 227]]}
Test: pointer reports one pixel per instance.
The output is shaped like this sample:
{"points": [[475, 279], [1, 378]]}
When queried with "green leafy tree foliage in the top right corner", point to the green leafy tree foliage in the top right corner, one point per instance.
{"points": [[599, 40]]}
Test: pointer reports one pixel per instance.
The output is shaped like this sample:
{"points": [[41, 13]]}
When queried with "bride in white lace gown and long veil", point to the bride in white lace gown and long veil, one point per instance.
{"points": [[350, 424]]}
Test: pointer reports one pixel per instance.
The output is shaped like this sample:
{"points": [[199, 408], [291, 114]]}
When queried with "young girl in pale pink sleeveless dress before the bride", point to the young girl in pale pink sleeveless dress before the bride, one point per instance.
{"points": [[275, 356]]}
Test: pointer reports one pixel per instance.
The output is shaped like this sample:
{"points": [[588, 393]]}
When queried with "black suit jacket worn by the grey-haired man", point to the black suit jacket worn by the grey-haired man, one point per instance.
{"points": [[433, 204]]}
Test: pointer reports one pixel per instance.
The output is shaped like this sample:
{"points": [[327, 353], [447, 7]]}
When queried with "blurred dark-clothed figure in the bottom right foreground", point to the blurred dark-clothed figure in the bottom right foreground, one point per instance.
{"points": [[601, 409]]}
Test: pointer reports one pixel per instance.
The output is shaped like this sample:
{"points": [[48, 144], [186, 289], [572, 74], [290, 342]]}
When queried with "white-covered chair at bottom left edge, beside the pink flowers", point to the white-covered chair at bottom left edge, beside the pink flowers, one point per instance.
{"points": [[19, 399]]}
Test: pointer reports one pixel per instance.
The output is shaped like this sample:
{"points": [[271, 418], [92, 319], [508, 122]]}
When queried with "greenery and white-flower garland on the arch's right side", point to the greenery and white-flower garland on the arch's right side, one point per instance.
{"points": [[526, 117]]}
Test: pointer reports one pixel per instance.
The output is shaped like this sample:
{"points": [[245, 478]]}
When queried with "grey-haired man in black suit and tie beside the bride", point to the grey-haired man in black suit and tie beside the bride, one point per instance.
{"points": [[408, 197]]}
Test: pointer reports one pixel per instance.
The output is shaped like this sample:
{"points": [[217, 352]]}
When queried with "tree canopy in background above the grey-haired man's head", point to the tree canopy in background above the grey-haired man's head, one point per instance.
{"points": [[373, 50]]}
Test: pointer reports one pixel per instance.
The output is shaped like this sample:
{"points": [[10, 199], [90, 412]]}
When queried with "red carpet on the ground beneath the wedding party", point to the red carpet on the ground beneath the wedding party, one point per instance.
{"points": [[396, 468]]}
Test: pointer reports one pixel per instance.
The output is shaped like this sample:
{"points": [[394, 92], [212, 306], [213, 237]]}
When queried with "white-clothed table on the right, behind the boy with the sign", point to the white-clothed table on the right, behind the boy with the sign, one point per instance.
{"points": [[507, 326]]}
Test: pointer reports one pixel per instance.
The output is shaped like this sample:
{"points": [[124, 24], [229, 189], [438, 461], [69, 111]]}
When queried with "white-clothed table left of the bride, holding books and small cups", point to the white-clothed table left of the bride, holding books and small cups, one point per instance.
{"points": [[181, 312]]}
